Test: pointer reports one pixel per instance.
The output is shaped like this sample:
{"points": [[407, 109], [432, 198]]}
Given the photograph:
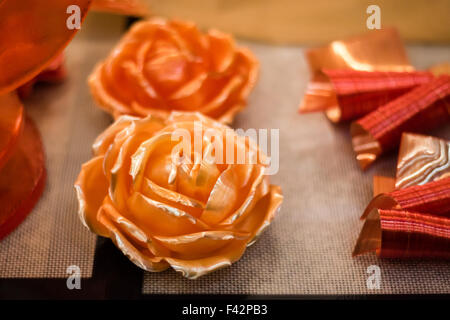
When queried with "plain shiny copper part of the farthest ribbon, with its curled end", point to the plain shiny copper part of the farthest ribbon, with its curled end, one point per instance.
{"points": [[379, 50]]}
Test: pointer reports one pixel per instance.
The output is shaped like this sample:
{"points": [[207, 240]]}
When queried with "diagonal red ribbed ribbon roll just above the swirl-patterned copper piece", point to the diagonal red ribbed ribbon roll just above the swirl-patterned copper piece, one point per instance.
{"points": [[421, 109]]}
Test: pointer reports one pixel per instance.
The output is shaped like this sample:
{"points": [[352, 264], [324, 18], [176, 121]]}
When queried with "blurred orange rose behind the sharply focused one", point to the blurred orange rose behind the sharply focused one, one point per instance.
{"points": [[160, 66]]}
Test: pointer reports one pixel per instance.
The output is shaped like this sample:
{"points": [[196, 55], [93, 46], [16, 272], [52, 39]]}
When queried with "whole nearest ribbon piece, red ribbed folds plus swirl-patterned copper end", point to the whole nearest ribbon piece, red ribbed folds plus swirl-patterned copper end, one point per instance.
{"points": [[412, 221]]}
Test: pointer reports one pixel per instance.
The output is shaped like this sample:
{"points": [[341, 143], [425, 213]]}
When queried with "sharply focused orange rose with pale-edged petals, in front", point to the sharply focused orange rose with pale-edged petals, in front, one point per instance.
{"points": [[162, 205]]}
